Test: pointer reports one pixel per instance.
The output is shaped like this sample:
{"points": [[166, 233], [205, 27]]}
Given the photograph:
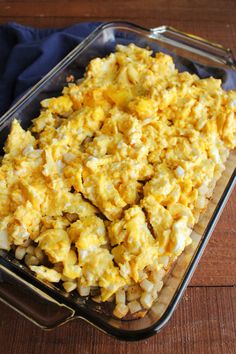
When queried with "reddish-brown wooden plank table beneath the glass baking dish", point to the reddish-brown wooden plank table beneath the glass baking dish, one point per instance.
{"points": [[205, 321]]}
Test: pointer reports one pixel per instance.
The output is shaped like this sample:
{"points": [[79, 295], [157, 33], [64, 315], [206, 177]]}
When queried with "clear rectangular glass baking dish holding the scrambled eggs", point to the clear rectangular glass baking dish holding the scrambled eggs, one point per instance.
{"points": [[47, 305]]}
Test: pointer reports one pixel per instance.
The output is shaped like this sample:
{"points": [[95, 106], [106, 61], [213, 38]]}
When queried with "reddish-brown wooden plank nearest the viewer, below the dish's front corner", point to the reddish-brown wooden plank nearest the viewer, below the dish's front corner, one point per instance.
{"points": [[204, 322]]}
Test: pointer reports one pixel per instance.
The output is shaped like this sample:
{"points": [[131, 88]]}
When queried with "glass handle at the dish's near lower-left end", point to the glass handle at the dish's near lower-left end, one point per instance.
{"points": [[30, 302]]}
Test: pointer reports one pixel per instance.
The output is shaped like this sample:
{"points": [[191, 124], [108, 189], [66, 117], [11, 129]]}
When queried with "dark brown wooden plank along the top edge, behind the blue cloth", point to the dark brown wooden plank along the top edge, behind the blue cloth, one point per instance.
{"points": [[166, 10]]}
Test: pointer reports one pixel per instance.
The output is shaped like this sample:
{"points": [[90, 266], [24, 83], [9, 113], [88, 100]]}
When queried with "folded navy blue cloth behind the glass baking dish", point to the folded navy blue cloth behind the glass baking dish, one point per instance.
{"points": [[27, 54]]}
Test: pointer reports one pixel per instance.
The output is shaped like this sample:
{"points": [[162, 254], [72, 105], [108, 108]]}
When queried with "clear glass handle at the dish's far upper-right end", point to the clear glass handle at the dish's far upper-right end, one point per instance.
{"points": [[194, 44]]}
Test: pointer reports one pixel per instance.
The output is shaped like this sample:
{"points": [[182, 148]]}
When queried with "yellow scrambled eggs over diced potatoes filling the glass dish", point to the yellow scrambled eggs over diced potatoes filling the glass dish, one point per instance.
{"points": [[102, 192]]}
